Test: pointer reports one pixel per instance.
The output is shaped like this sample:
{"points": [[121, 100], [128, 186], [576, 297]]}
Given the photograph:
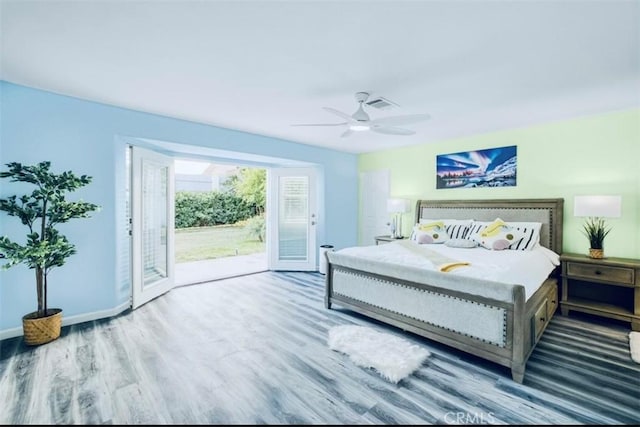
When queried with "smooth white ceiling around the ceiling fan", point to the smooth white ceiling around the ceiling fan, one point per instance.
{"points": [[259, 66]]}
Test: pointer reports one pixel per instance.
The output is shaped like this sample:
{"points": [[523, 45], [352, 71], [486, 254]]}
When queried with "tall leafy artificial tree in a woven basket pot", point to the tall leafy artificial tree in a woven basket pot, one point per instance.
{"points": [[41, 211]]}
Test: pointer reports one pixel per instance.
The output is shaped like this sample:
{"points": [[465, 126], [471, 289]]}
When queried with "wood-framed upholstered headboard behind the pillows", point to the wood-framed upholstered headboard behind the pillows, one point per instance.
{"points": [[547, 211]]}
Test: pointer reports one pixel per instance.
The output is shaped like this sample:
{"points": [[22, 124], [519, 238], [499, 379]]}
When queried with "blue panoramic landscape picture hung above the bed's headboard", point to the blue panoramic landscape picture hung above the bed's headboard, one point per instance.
{"points": [[492, 167]]}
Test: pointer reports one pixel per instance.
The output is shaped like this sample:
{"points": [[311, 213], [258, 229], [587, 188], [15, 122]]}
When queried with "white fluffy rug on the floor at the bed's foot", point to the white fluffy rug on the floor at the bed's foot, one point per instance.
{"points": [[393, 357]]}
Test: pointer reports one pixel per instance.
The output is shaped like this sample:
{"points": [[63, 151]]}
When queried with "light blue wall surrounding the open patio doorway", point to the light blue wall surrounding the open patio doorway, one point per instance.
{"points": [[89, 138]]}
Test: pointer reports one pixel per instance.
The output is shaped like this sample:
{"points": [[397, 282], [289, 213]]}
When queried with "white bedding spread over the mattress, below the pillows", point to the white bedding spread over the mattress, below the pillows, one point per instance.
{"points": [[527, 268]]}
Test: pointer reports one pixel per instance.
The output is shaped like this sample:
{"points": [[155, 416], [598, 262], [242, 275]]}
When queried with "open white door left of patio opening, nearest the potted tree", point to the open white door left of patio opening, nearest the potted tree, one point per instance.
{"points": [[152, 204]]}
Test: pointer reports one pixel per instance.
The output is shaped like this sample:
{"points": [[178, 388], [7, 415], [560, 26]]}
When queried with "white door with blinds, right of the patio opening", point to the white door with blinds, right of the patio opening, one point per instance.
{"points": [[292, 219]]}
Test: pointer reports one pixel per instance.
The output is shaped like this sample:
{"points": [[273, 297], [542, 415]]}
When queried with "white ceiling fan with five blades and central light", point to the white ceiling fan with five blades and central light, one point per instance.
{"points": [[360, 120]]}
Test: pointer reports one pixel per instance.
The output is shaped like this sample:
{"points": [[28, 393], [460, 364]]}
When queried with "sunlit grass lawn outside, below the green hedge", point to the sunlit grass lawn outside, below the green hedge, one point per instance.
{"points": [[195, 244]]}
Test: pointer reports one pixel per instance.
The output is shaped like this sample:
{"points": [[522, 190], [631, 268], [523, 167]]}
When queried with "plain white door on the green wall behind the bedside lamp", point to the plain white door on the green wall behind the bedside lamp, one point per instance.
{"points": [[374, 192]]}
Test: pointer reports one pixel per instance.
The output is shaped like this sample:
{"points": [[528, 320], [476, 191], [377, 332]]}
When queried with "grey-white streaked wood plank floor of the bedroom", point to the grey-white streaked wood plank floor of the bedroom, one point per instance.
{"points": [[252, 350]]}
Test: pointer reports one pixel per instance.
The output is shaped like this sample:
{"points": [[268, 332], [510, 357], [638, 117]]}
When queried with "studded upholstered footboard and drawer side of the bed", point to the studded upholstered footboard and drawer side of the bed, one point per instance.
{"points": [[503, 331]]}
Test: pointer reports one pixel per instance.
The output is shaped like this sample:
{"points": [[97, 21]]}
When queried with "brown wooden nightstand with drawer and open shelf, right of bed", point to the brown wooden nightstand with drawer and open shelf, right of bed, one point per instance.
{"points": [[608, 287]]}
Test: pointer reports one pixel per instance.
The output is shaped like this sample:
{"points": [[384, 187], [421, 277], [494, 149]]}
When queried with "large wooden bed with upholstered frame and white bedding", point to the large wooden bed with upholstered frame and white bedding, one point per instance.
{"points": [[490, 317]]}
